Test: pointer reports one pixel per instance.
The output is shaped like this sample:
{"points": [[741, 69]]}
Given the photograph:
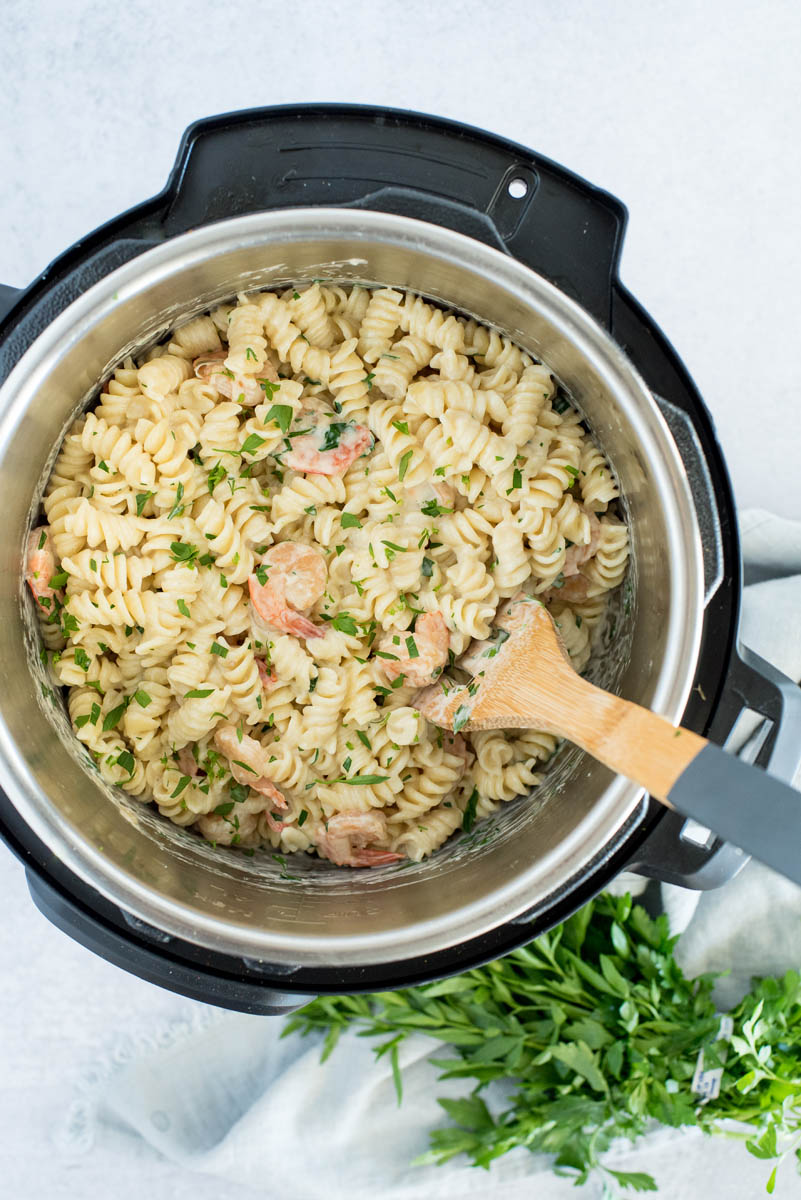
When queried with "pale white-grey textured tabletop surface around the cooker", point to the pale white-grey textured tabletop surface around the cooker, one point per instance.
{"points": [[690, 115]]}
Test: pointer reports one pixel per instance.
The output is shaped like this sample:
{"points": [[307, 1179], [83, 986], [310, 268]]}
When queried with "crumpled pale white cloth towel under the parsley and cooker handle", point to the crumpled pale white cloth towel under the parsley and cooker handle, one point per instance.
{"points": [[225, 1095]]}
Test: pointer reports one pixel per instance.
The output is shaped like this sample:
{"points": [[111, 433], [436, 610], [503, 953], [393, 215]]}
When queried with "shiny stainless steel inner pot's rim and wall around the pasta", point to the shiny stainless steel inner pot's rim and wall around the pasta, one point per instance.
{"points": [[309, 913]]}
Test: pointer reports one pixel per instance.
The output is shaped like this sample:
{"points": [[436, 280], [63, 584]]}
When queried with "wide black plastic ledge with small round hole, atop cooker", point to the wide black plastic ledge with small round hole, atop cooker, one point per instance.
{"points": [[403, 163]]}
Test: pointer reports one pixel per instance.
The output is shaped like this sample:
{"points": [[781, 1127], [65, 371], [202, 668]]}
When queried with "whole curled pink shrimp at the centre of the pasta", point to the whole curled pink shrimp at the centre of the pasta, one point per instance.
{"points": [[297, 580]]}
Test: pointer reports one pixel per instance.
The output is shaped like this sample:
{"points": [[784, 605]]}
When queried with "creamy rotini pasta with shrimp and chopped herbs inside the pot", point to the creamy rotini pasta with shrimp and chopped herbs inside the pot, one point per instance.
{"points": [[276, 527]]}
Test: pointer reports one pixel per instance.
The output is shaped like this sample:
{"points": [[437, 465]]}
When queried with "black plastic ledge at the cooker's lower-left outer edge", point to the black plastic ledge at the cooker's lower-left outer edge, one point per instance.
{"points": [[131, 953]]}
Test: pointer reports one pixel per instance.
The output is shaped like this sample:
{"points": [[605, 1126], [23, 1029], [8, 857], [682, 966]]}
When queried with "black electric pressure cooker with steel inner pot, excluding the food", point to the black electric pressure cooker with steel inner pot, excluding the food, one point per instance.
{"points": [[273, 196]]}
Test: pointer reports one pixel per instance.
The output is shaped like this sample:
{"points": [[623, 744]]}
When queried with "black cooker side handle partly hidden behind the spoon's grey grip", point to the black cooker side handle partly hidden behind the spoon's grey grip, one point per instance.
{"points": [[679, 850]]}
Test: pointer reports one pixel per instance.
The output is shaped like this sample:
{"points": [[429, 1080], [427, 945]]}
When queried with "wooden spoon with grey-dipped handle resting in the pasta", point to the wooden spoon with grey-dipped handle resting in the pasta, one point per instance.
{"points": [[531, 683]]}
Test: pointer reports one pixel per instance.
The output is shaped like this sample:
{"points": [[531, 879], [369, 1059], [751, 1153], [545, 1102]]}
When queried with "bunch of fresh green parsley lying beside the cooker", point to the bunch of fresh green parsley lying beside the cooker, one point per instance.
{"points": [[600, 1031]]}
